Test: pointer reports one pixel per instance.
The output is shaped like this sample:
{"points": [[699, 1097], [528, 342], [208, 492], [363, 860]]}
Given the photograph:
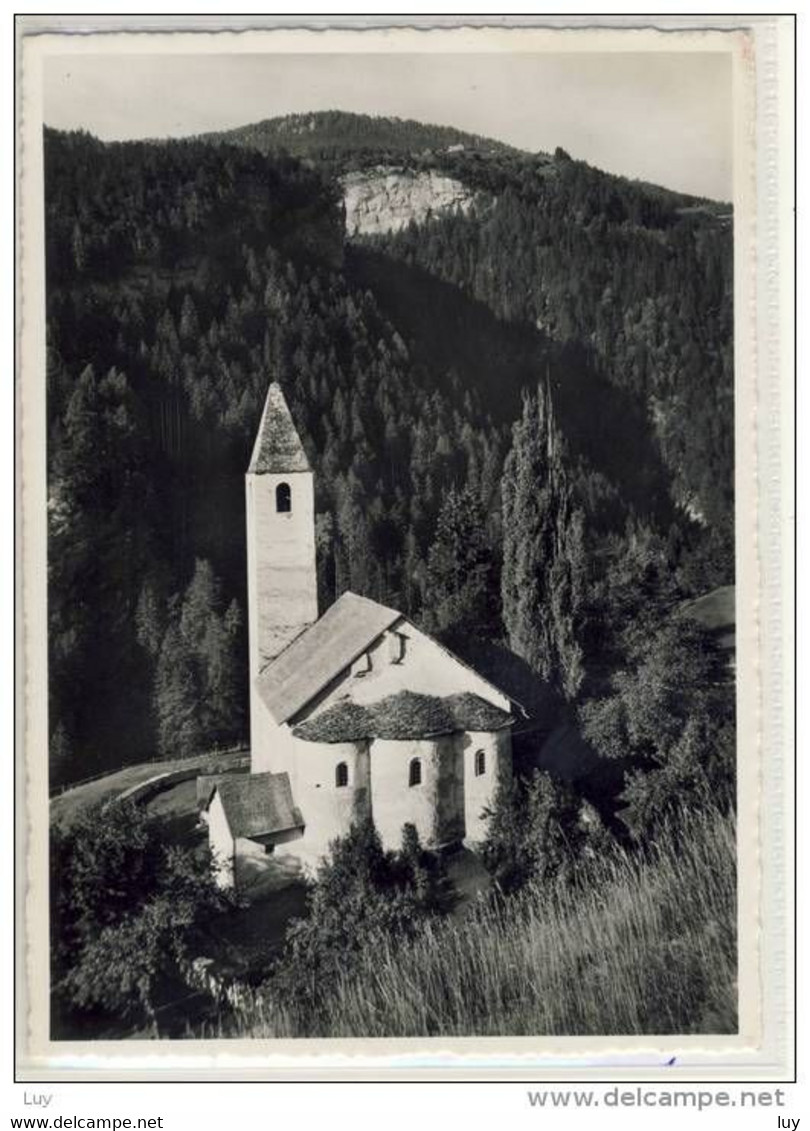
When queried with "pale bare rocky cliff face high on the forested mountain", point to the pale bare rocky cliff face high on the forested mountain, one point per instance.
{"points": [[386, 200]]}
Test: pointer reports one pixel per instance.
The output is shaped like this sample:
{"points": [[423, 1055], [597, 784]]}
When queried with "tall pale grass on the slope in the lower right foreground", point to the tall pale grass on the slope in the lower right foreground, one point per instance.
{"points": [[636, 945]]}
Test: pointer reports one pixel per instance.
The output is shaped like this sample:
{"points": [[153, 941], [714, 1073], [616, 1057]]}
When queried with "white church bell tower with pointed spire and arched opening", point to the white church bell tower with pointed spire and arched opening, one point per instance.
{"points": [[280, 507]]}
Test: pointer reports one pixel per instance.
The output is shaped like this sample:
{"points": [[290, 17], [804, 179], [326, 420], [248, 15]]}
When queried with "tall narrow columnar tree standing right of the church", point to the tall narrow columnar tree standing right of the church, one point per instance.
{"points": [[542, 581]]}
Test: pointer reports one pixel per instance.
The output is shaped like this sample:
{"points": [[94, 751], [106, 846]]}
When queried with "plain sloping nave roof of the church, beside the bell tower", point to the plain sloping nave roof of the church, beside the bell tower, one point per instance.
{"points": [[344, 632]]}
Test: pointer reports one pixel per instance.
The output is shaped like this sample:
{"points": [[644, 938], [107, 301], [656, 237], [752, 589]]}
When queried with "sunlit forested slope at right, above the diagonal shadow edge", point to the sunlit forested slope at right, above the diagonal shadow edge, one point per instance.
{"points": [[640, 281]]}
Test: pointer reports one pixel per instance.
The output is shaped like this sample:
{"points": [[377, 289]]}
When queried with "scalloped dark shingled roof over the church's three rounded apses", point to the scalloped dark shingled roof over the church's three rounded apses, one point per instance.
{"points": [[404, 715]]}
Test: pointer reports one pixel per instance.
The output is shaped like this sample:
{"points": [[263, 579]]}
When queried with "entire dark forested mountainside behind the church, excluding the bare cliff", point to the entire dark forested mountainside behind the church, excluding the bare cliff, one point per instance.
{"points": [[184, 277]]}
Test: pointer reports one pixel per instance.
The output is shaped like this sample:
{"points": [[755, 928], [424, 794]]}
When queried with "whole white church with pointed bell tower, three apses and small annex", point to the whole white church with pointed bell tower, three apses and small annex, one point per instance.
{"points": [[355, 713]]}
